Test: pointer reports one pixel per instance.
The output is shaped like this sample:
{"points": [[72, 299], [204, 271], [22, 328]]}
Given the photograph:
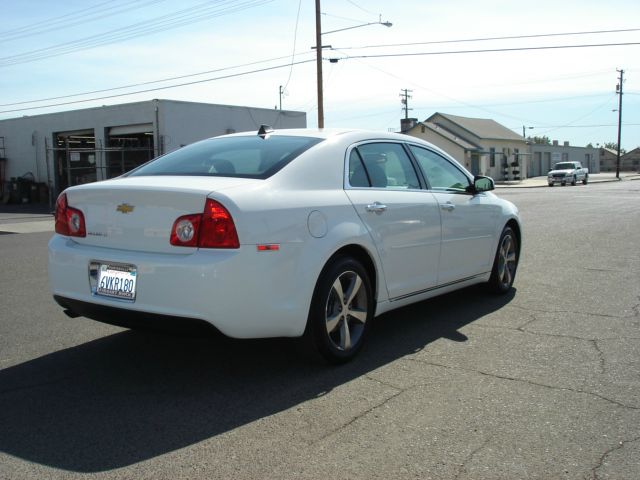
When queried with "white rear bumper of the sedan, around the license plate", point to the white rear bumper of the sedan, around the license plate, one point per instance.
{"points": [[243, 293]]}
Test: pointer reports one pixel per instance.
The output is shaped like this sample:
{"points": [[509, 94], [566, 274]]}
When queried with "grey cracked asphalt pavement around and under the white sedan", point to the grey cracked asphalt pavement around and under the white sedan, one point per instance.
{"points": [[543, 383]]}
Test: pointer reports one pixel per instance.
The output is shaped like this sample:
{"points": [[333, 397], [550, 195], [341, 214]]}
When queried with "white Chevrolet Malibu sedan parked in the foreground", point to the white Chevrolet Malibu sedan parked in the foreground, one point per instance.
{"points": [[291, 233]]}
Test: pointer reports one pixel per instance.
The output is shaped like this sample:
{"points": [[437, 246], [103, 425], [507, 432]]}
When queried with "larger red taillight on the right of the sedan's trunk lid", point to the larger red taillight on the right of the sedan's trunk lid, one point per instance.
{"points": [[214, 228]]}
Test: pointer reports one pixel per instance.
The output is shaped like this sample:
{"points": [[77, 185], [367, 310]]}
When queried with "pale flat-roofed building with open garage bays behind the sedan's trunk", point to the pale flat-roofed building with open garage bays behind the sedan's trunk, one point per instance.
{"points": [[80, 146]]}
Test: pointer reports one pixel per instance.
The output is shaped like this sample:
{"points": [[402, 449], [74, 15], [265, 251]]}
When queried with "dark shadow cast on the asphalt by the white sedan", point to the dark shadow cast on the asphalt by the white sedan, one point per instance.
{"points": [[132, 396]]}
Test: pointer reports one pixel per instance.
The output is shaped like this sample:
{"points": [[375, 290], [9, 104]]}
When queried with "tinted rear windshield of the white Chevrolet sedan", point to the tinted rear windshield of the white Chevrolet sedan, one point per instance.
{"points": [[249, 157]]}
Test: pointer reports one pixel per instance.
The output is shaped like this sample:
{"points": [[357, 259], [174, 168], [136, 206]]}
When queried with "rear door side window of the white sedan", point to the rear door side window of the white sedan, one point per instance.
{"points": [[382, 165]]}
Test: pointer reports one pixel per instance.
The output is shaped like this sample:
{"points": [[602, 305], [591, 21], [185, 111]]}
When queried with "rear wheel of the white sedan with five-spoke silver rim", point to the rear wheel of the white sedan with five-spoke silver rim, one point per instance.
{"points": [[341, 311]]}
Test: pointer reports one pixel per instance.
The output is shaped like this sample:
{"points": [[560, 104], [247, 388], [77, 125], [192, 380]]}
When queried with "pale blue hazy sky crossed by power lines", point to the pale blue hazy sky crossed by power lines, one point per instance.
{"points": [[567, 94]]}
